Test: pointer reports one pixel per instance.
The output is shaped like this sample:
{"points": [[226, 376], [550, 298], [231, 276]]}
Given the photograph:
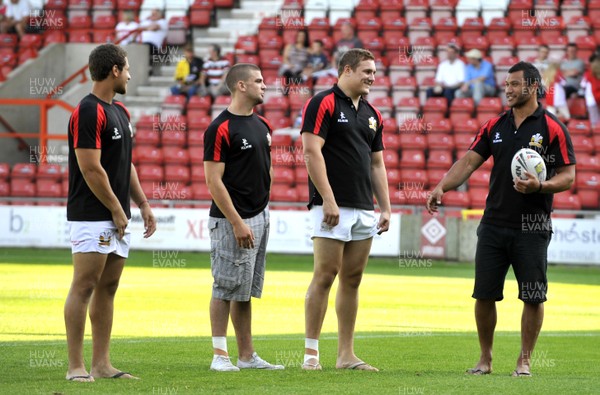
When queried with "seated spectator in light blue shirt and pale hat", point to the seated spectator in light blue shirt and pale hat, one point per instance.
{"points": [[479, 78]]}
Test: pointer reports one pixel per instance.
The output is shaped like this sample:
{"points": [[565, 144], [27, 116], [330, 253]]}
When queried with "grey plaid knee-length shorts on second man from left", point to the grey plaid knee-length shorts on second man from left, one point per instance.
{"points": [[238, 273]]}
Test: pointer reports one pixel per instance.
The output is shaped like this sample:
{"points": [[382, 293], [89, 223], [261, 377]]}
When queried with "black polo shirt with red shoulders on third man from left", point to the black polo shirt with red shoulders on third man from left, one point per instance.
{"points": [[350, 138]]}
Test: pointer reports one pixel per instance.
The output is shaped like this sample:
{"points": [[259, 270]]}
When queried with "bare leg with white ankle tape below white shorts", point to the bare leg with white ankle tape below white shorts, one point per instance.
{"points": [[328, 255]]}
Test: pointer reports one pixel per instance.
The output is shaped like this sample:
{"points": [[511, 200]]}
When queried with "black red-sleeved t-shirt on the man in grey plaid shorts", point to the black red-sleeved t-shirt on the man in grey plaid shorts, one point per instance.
{"points": [[243, 143]]}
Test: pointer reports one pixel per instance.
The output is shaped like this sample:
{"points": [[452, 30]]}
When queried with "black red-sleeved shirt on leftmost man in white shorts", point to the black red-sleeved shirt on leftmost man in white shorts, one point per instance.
{"points": [[99, 125]]}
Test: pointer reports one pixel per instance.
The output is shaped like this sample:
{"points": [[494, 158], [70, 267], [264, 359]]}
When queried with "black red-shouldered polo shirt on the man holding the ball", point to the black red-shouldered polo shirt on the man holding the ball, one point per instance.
{"points": [[500, 138]]}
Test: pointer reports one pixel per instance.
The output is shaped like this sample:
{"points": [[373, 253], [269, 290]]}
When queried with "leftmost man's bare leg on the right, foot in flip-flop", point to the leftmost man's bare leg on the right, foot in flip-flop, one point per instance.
{"points": [[101, 315]]}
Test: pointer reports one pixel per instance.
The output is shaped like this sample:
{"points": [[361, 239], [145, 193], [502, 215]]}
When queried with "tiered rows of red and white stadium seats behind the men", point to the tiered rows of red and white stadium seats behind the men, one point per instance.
{"points": [[422, 137]]}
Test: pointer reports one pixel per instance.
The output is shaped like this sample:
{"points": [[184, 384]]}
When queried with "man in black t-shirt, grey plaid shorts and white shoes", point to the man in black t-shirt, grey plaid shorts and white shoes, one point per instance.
{"points": [[237, 163]]}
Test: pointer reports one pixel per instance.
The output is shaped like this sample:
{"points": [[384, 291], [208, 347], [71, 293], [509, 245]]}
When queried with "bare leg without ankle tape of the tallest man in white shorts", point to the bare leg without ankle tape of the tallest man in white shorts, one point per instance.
{"points": [[356, 256]]}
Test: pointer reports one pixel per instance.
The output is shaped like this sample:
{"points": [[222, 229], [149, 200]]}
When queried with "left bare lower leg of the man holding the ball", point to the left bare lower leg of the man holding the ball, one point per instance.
{"points": [[486, 317]]}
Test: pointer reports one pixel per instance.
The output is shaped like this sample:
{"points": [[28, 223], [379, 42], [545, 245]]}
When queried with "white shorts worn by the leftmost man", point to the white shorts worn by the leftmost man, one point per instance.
{"points": [[98, 236]]}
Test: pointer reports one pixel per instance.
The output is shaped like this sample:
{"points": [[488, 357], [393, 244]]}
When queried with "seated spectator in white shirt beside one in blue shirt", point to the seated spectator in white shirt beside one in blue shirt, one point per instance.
{"points": [[450, 75]]}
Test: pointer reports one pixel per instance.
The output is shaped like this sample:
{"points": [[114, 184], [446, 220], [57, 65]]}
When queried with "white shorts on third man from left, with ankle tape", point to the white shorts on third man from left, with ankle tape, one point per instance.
{"points": [[355, 224]]}
